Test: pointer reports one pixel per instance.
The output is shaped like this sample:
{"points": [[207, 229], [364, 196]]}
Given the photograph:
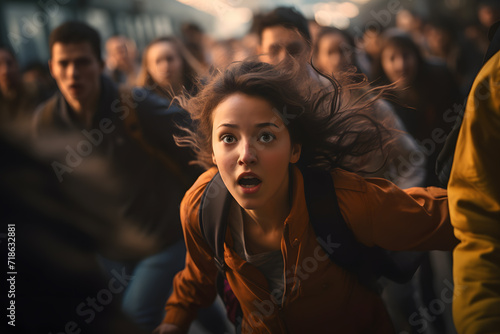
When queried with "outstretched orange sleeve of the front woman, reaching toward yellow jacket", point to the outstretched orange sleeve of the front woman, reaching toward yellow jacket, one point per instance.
{"points": [[381, 214]]}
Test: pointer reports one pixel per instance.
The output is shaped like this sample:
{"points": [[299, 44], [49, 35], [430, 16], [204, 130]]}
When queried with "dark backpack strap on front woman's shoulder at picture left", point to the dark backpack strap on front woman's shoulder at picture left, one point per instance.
{"points": [[213, 212]]}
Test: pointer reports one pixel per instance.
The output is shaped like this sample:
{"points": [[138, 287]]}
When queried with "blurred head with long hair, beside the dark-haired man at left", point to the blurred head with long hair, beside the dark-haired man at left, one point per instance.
{"points": [[168, 68]]}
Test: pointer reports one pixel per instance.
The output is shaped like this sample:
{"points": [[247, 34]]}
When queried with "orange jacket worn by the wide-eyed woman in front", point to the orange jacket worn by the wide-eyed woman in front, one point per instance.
{"points": [[319, 297]]}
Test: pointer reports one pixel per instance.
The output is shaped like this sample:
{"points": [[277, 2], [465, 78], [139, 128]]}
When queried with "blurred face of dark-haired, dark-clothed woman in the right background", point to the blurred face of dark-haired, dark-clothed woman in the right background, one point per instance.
{"points": [[399, 64]]}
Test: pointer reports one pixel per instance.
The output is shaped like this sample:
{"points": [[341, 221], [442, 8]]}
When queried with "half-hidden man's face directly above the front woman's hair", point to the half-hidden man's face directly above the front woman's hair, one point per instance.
{"points": [[277, 41]]}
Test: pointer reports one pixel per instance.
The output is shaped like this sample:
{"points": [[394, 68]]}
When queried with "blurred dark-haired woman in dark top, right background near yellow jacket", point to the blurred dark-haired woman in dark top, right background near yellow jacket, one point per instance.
{"points": [[424, 92]]}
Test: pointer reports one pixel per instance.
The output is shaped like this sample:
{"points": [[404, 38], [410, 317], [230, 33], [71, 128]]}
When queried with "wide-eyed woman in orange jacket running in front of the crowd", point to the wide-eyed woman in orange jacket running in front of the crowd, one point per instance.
{"points": [[256, 124]]}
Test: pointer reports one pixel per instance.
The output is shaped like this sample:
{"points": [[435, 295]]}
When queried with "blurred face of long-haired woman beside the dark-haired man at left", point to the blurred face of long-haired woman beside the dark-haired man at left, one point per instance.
{"points": [[165, 65]]}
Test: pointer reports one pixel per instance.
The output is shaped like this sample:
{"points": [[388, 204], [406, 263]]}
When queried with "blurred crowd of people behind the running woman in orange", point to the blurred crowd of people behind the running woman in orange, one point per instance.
{"points": [[127, 107]]}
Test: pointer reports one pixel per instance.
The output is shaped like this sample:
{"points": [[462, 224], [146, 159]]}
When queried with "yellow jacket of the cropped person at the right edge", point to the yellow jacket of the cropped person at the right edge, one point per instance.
{"points": [[474, 193]]}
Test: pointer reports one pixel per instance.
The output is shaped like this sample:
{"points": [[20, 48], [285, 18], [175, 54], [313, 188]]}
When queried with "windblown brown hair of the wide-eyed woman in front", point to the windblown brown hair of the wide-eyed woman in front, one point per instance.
{"points": [[331, 128]]}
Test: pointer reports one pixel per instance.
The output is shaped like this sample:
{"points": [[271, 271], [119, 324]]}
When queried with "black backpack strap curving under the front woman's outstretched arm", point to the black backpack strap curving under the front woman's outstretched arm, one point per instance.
{"points": [[339, 242]]}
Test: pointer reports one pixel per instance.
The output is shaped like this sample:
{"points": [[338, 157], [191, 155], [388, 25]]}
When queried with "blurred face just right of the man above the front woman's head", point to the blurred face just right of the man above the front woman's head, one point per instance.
{"points": [[334, 53]]}
